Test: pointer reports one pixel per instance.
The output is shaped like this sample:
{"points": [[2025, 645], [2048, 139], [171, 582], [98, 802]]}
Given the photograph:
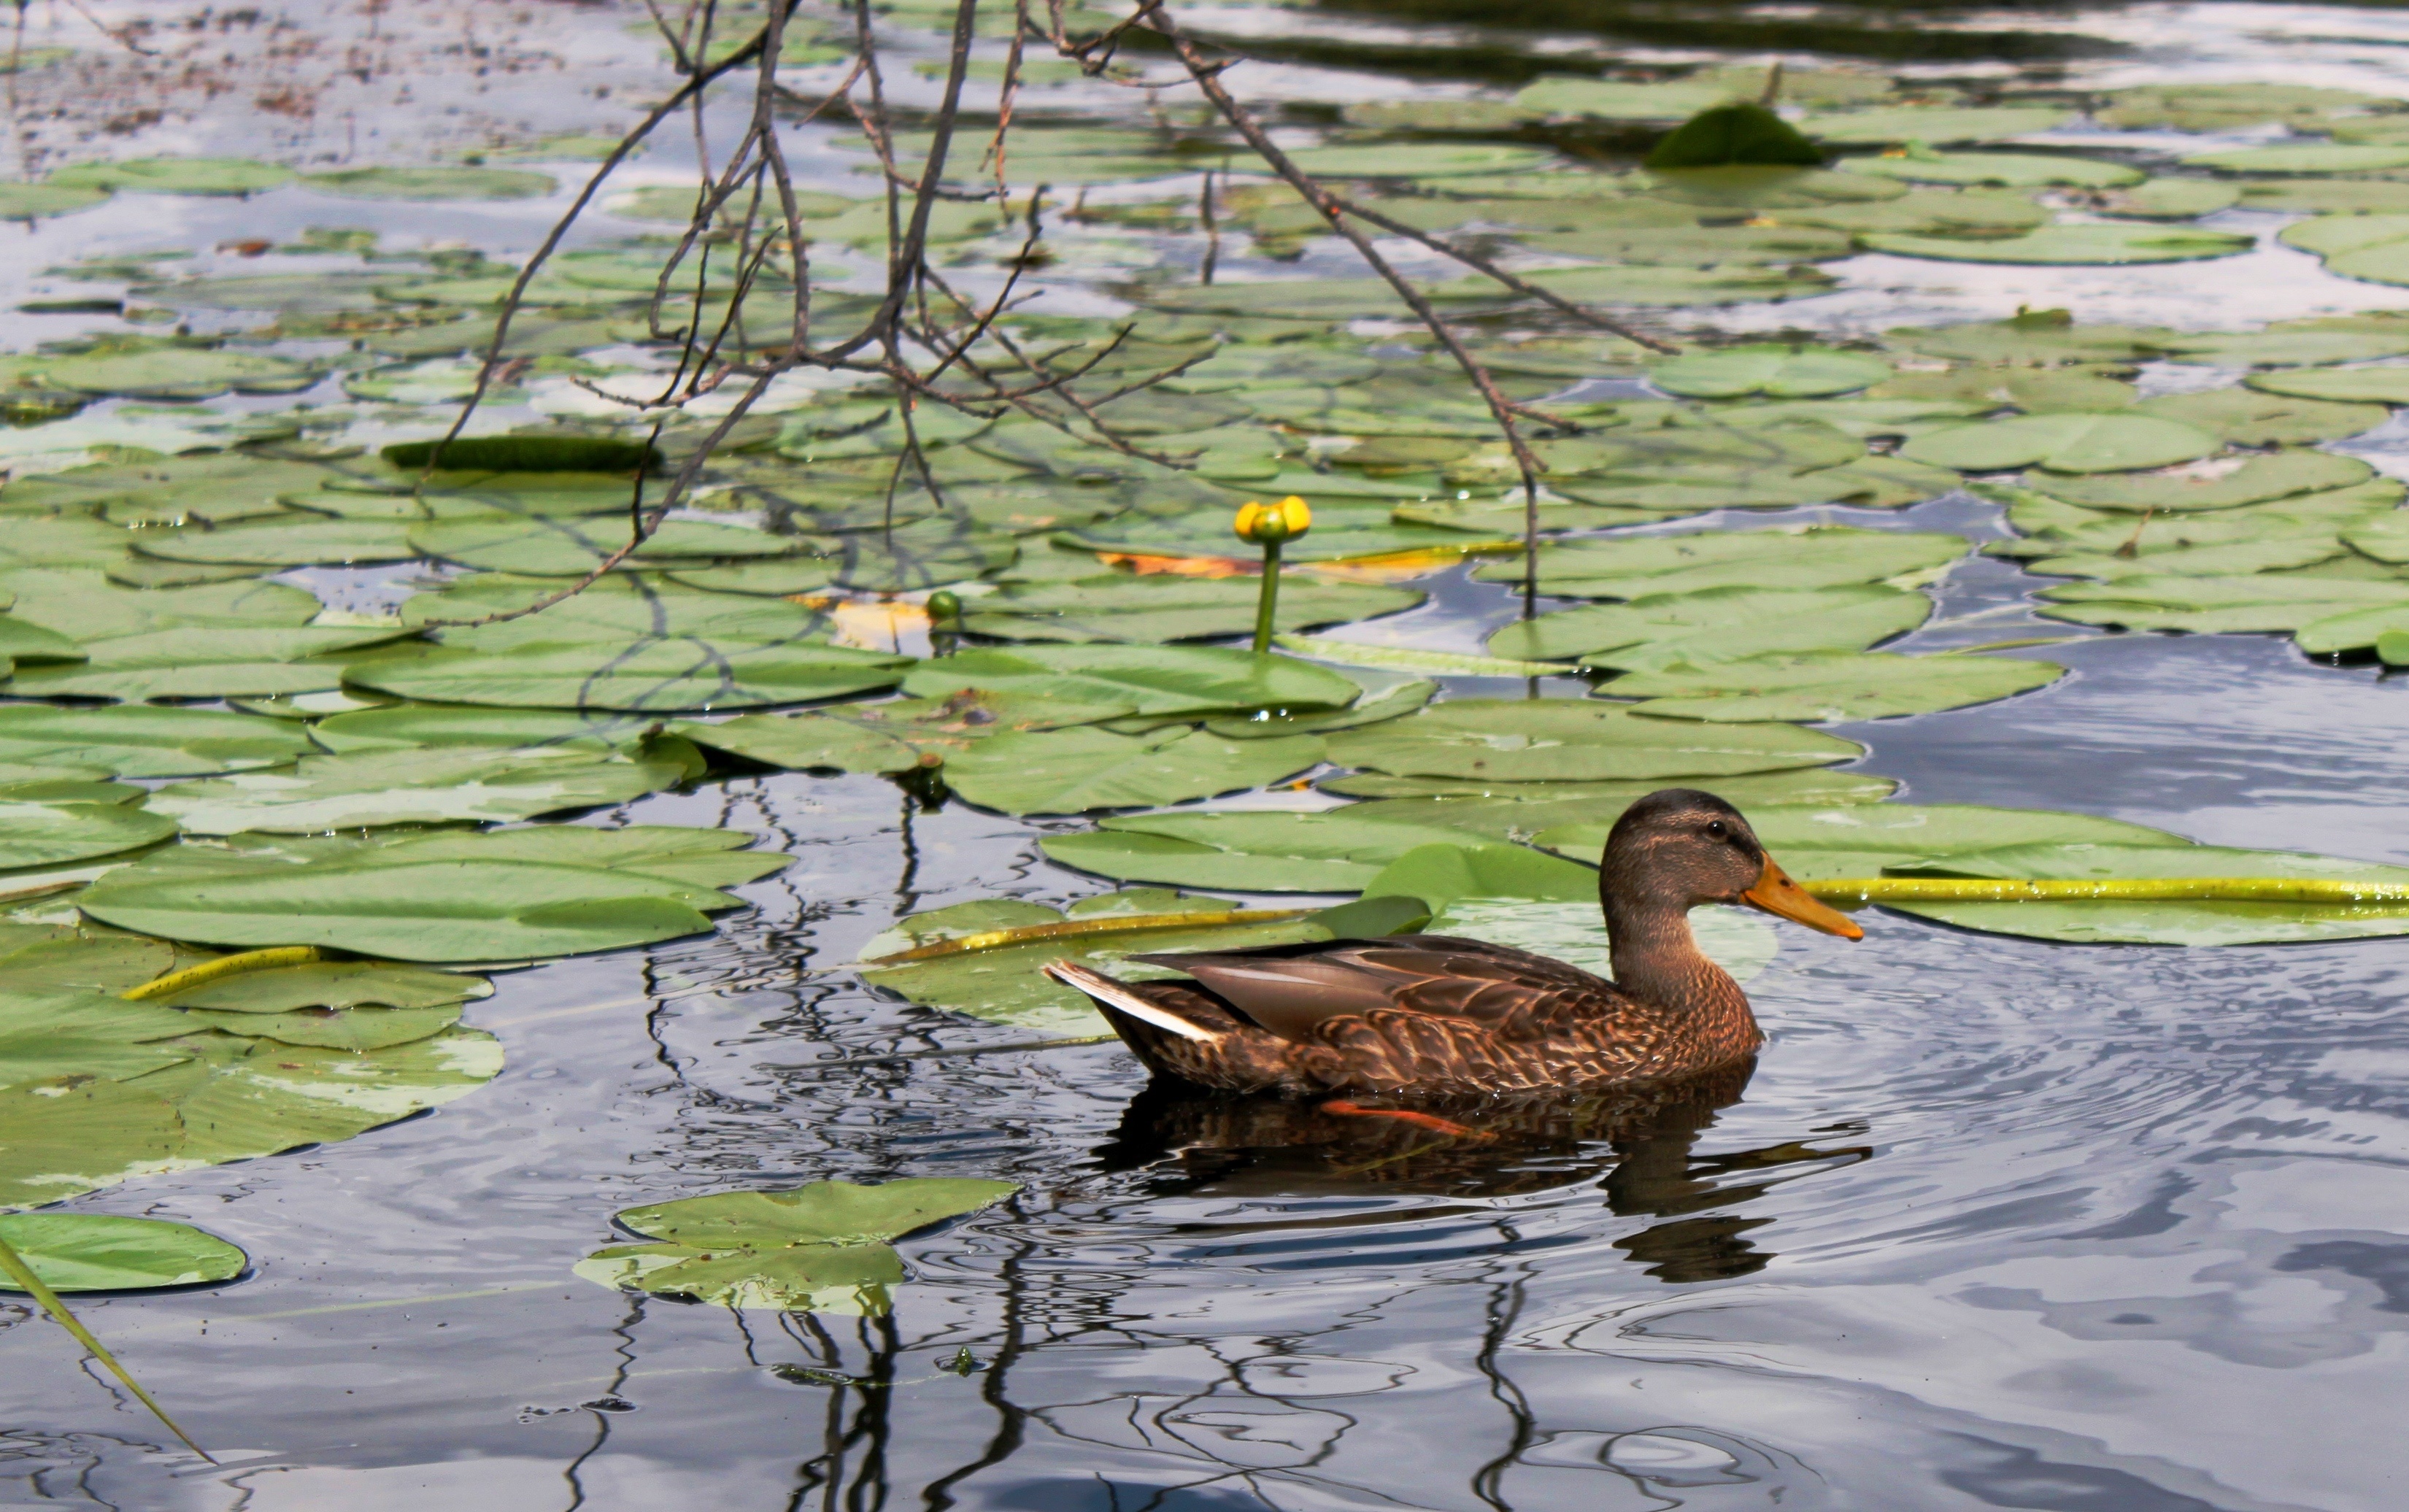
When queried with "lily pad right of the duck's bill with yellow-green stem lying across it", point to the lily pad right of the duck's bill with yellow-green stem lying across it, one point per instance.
{"points": [[2164, 921]]}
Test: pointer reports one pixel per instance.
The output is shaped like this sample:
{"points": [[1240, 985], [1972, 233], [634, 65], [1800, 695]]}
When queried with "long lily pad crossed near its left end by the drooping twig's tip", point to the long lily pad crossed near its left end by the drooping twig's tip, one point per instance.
{"points": [[1772, 560]]}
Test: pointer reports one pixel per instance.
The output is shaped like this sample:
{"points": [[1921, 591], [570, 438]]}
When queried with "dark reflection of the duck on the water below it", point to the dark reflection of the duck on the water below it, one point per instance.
{"points": [[1639, 1145]]}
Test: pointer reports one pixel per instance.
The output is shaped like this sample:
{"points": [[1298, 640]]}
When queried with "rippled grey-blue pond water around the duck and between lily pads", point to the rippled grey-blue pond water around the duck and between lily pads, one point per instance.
{"points": [[1993, 1224]]}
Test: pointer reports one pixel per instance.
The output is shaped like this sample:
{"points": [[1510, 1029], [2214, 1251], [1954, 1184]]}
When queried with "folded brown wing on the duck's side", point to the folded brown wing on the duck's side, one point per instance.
{"points": [[1292, 991]]}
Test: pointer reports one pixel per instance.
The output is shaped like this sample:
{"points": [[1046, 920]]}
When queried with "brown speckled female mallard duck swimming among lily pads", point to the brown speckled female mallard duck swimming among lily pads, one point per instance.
{"points": [[1451, 1017]]}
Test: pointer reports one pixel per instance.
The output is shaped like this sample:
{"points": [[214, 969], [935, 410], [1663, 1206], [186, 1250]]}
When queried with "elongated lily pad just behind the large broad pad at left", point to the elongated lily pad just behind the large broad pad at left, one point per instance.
{"points": [[413, 786]]}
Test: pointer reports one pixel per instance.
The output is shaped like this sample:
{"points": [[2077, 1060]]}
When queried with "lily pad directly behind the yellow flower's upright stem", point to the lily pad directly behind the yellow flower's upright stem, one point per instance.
{"points": [[1129, 608]]}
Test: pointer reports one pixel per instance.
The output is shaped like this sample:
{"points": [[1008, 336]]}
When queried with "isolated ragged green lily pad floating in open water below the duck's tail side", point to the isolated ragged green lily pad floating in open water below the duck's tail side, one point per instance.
{"points": [[818, 1248]]}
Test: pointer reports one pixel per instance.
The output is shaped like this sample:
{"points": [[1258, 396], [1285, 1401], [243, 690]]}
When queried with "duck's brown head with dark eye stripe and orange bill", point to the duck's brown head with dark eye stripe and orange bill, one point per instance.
{"points": [[1680, 849]]}
